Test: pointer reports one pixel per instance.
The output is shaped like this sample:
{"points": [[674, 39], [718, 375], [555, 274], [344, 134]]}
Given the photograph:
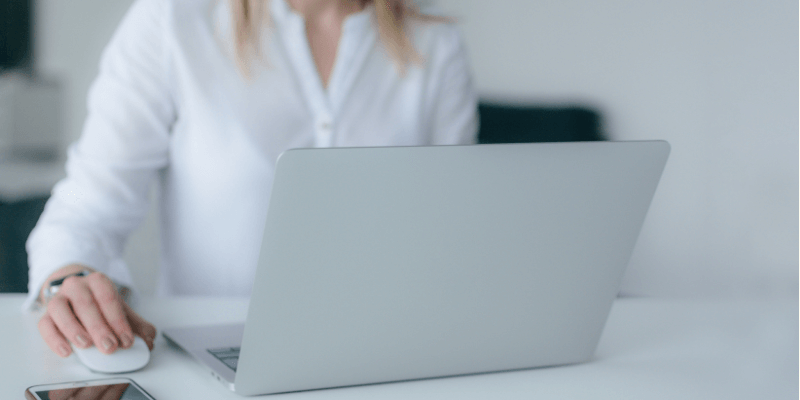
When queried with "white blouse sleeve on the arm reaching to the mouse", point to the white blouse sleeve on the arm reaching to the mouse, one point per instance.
{"points": [[111, 167]]}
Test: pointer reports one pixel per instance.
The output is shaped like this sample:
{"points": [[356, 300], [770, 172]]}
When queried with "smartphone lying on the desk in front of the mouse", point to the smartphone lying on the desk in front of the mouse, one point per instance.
{"points": [[101, 389]]}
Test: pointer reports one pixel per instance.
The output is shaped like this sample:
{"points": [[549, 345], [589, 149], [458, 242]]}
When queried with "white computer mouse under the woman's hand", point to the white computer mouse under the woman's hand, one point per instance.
{"points": [[122, 360]]}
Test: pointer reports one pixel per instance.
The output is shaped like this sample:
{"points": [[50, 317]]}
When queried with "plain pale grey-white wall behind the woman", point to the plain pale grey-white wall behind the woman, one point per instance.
{"points": [[718, 79]]}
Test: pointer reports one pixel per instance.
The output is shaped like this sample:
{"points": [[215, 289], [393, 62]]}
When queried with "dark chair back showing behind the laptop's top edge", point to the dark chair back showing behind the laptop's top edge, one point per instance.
{"points": [[521, 123]]}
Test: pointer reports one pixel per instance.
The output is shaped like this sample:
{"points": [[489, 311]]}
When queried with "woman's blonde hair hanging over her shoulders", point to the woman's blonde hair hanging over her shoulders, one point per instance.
{"points": [[249, 17]]}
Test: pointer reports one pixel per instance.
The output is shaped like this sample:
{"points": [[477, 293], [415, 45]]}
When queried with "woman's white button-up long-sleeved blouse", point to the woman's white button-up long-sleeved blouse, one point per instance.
{"points": [[170, 106]]}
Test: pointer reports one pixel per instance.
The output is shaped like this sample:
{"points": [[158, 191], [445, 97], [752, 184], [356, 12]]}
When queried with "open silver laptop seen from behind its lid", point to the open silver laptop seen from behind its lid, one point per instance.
{"points": [[390, 264]]}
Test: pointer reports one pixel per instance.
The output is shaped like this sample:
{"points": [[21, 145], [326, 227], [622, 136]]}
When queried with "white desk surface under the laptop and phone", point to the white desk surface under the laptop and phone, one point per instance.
{"points": [[651, 349]]}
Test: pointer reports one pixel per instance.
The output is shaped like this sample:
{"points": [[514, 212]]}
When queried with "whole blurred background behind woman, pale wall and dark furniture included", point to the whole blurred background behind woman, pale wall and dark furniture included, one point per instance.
{"points": [[718, 79]]}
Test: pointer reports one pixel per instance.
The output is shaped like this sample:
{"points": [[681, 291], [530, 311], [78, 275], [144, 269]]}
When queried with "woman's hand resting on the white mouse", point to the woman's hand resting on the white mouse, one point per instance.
{"points": [[88, 310]]}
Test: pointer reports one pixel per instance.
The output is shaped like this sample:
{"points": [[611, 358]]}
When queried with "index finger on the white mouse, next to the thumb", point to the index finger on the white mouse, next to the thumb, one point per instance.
{"points": [[110, 304]]}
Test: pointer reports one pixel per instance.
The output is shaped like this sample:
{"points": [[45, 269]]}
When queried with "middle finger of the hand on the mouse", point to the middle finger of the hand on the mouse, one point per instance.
{"points": [[85, 307]]}
